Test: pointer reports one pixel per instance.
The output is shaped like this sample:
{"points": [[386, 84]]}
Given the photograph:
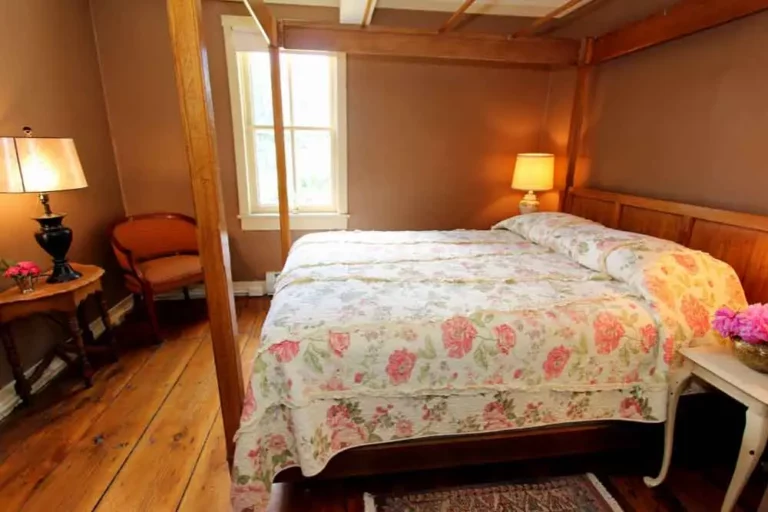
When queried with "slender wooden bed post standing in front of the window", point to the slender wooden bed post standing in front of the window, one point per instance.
{"points": [[282, 180]]}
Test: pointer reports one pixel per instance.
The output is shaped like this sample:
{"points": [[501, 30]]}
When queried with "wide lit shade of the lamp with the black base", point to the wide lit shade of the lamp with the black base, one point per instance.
{"points": [[29, 164]]}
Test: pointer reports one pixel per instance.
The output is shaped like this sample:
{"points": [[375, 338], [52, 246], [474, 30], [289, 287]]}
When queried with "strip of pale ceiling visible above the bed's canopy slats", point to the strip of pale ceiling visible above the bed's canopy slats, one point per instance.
{"points": [[497, 7]]}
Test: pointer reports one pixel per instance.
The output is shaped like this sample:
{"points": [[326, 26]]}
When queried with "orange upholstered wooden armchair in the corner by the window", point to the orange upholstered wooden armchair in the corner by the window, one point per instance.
{"points": [[158, 253]]}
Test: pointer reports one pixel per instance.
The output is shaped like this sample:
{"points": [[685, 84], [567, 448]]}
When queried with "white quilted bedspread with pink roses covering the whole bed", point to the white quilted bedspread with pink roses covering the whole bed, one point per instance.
{"points": [[548, 318]]}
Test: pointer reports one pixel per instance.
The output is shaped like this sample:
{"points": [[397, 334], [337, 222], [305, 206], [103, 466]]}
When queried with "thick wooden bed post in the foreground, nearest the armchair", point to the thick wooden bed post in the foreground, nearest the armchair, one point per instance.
{"points": [[193, 85]]}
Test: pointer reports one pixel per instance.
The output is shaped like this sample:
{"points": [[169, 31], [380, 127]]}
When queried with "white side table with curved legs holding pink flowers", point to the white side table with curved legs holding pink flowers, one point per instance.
{"points": [[720, 368]]}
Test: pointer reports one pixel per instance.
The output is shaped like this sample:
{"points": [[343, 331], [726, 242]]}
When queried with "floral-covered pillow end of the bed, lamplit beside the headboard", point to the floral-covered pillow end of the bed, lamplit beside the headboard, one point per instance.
{"points": [[683, 287]]}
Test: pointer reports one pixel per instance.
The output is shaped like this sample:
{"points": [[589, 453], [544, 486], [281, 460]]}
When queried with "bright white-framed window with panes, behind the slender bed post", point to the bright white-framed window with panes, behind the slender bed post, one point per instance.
{"points": [[314, 115]]}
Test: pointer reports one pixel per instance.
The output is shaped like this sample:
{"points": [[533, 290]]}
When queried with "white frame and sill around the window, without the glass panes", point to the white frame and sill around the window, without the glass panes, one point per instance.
{"points": [[241, 32]]}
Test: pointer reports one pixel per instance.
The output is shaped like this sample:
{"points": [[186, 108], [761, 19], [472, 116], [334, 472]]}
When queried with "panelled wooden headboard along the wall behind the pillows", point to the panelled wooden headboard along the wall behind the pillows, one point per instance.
{"points": [[740, 239]]}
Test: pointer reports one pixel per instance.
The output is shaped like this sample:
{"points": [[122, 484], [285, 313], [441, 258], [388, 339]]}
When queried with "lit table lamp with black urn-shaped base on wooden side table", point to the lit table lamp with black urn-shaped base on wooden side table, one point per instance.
{"points": [[41, 165]]}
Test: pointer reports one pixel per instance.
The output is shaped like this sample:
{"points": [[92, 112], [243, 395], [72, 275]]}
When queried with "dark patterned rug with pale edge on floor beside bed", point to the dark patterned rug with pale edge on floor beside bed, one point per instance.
{"points": [[580, 493]]}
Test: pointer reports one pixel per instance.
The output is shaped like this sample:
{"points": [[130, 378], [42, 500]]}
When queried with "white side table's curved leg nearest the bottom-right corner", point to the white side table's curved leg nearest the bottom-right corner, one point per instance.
{"points": [[752, 446]]}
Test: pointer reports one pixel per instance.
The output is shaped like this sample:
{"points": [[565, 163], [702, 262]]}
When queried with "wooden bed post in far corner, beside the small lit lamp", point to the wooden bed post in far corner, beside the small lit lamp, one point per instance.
{"points": [[578, 114]]}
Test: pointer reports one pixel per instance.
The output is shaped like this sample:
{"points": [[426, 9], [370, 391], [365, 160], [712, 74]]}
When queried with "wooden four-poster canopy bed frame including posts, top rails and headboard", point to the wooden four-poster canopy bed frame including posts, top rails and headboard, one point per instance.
{"points": [[727, 235]]}
